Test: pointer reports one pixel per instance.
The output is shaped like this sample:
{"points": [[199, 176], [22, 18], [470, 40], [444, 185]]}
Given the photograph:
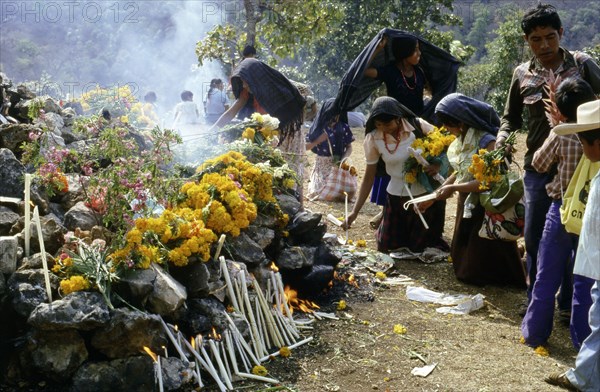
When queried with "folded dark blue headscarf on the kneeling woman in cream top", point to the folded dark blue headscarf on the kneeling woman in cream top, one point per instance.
{"points": [[470, 111]]}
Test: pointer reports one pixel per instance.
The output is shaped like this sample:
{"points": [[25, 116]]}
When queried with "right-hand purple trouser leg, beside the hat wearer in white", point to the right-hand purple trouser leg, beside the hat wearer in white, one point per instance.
{"points": [[582, 301]]}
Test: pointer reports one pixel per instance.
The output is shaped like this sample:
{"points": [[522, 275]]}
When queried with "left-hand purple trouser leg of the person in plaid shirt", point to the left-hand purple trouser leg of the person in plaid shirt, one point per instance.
{"points": [[555, 256]]}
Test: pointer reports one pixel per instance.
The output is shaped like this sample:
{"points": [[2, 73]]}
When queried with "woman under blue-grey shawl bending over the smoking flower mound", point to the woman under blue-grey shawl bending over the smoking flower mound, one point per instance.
{"points": [[271, 93]]}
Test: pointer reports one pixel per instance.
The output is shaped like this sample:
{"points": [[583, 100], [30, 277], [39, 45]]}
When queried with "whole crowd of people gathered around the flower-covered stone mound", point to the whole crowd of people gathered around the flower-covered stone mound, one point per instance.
{"points": [[561, 268]]}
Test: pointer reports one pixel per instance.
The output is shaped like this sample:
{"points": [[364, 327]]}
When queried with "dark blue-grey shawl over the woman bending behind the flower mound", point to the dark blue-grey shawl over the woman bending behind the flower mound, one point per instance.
{"points": [[273, 91]]}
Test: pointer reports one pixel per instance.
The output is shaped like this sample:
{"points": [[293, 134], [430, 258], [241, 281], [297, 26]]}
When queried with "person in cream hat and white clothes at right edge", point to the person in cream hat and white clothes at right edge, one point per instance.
{"points": [[586, 374]]}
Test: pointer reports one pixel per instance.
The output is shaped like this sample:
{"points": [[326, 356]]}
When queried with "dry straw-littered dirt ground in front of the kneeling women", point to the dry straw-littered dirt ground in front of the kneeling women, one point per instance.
{"points": [[361, 352]]}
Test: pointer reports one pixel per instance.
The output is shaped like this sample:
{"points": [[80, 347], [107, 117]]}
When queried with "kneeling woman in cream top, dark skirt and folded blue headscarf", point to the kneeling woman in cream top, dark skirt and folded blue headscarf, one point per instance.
{"points": [[476, 260]]}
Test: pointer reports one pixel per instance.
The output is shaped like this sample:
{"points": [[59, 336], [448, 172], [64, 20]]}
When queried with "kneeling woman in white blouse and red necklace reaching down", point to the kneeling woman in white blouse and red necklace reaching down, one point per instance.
{"points": [[391, 128]]}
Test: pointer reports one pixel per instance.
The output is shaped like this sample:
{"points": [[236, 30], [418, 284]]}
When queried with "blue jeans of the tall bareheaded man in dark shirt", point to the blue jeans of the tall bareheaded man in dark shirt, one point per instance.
{"points": [[537, 203]]}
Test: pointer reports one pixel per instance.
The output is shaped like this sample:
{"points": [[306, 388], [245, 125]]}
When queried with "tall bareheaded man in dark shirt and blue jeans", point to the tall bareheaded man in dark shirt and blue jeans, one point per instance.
{"points": [[543, 31]]}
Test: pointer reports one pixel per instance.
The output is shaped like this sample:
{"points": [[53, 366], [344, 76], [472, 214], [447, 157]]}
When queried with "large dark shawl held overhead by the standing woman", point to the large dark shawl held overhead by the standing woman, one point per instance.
{"points": [[440, 68]]}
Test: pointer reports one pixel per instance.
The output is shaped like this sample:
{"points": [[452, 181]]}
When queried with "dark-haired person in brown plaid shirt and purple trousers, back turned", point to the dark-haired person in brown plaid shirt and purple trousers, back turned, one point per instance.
{"points": [[557, 248]]}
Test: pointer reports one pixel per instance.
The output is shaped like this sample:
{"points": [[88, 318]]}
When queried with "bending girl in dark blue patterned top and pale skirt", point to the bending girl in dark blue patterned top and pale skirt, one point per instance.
{"points": [[331, 140]]}
